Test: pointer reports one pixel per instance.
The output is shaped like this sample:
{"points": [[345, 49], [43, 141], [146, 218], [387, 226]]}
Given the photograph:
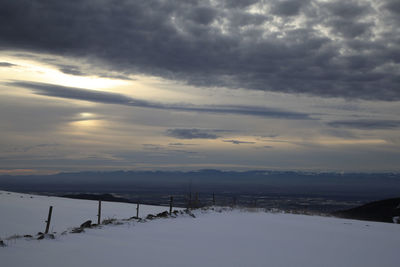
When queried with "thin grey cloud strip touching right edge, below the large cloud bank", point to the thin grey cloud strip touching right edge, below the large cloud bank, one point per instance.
{"points": [[367, 124]]}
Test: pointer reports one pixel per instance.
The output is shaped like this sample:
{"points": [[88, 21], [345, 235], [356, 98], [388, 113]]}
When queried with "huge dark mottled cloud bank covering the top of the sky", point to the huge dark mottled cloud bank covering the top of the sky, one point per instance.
{"points": [[348, 49]]}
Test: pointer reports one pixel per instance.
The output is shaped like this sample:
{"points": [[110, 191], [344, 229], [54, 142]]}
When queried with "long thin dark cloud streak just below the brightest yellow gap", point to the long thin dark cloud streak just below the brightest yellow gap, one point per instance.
{"points": [[119, 99]]}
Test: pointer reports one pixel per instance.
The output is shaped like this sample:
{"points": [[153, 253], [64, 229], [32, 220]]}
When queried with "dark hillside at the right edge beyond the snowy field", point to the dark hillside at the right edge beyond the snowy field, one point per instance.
{"points": [[380, 211]]}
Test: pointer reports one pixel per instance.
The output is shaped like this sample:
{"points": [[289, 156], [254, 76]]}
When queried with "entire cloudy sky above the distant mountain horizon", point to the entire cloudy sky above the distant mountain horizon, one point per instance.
{"points": [[104, 85]]}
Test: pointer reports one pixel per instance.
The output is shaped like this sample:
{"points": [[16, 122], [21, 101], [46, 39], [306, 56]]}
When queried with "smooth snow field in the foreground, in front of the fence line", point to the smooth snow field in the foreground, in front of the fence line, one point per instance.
{"points": [[229, 238]]}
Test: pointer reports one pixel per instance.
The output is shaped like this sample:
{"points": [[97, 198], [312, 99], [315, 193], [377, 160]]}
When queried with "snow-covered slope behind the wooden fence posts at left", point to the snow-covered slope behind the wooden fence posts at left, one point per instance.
{"points": [[22, 214]]}
